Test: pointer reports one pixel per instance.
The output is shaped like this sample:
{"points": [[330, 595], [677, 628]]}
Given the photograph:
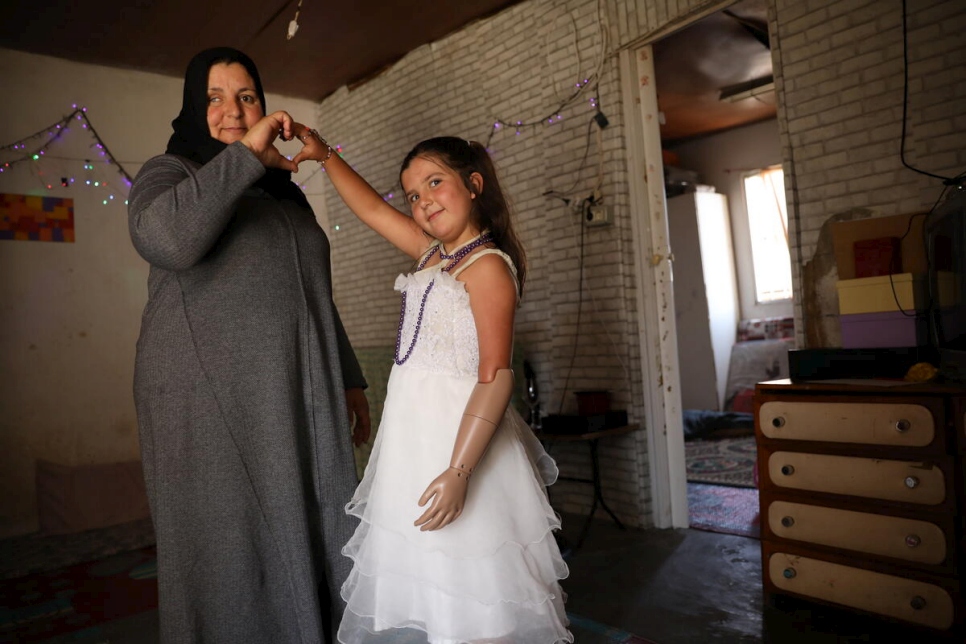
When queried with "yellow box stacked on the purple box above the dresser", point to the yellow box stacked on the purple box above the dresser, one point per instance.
{"points": [[902, 291]]}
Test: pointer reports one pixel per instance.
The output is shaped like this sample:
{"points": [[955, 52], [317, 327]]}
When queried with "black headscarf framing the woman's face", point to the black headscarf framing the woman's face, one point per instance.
{"points": [[192, 138]]}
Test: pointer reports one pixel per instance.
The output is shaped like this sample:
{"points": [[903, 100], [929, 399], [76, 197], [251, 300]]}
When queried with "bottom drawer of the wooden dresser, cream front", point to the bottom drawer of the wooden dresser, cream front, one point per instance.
{"points": [[912, 600]]}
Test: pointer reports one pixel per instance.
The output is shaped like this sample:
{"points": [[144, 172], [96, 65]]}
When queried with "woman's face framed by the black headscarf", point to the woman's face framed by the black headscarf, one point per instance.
{"points": [[233, 105]]}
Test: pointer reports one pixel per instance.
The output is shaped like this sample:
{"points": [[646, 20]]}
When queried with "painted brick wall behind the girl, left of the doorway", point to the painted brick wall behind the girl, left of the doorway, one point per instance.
{"points": [[519, 65]]}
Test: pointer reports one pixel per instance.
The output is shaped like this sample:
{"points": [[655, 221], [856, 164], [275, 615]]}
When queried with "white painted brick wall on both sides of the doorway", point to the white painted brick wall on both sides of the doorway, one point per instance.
{"points": [[839, 79]]}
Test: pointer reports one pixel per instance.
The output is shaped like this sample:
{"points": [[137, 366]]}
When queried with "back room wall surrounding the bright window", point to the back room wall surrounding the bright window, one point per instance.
{"points": [[720, 160]]}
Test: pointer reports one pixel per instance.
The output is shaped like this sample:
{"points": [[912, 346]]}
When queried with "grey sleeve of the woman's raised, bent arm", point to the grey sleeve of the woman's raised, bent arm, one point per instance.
{"points": [[175, 215]]}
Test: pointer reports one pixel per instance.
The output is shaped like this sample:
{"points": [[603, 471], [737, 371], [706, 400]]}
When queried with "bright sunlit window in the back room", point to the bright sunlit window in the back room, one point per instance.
{"points": [[768, 223]]}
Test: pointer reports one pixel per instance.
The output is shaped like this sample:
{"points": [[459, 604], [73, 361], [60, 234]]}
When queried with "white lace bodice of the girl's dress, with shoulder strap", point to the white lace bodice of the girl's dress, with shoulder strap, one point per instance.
{"points": [[447, 341]]}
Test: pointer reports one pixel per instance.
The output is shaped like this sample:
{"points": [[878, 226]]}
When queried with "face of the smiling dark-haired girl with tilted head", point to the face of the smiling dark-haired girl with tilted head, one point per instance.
{"points": [[441, 203]]}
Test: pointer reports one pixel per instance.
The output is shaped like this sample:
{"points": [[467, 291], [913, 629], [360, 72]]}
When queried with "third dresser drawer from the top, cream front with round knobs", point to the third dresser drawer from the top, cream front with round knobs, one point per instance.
{"points": [[912, 540]]}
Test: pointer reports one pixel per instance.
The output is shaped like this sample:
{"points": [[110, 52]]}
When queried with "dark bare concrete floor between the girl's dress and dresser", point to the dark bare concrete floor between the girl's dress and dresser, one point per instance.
{"points": [[691, 587]]}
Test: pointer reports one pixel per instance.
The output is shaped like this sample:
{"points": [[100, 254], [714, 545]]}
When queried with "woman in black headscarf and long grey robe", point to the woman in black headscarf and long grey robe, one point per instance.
{"points": [[245, 379]]}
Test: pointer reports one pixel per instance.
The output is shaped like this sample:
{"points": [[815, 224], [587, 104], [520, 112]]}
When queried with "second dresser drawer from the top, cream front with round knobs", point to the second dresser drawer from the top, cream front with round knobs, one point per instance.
{"points": [[921, 483]]}
